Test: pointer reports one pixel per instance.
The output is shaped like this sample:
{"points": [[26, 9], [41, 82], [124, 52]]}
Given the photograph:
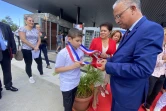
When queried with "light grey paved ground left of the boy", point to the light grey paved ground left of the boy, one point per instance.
{"points": [[44, 95]]}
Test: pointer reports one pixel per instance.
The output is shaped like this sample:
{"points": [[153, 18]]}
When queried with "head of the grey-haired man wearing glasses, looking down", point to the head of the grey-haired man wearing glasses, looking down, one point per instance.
{"points": [[126, 12]]}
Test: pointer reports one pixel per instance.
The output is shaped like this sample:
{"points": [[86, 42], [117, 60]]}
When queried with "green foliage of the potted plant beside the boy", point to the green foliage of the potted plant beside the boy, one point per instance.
{"points": [[87, 81]]}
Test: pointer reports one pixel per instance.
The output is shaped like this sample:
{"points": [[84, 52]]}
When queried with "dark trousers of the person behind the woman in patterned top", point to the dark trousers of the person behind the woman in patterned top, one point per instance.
{"points": [[43, 48]]}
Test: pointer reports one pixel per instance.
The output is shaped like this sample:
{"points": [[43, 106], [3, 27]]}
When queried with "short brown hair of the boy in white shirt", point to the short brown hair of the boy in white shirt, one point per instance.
{"points": [[73, 33]]}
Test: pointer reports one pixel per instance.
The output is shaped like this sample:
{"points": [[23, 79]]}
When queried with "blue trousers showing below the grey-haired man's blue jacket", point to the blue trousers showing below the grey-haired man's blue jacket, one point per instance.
{"points": [[117, 107]]}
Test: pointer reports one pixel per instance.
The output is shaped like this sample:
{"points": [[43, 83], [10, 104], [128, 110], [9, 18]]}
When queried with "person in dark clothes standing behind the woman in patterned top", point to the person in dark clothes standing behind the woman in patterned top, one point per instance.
{"points": [[43, 45]]}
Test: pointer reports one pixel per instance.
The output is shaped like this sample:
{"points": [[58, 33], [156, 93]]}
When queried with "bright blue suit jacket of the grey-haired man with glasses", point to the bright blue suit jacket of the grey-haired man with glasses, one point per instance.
{"points": [[134, 62]]}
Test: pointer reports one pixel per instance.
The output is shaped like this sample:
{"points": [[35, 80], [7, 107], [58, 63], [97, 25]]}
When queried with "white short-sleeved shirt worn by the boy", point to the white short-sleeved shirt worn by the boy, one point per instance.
{"points": [[69, 79]]}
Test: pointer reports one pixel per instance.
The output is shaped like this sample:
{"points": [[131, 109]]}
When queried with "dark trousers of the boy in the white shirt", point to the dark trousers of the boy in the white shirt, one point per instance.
{"points": [[68, 99]]}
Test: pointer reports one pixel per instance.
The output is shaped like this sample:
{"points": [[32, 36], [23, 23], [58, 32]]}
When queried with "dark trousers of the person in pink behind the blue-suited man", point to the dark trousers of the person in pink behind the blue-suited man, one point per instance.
{"points": [[155, 85]]}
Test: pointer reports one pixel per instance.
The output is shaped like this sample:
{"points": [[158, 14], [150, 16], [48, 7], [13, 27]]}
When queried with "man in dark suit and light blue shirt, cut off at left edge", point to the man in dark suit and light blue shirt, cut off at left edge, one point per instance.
{"points": [[7, 51]]}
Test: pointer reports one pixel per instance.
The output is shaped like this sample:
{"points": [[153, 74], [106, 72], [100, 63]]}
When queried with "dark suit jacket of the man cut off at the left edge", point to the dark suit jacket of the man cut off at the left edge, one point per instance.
{"points": [[8, 35]]}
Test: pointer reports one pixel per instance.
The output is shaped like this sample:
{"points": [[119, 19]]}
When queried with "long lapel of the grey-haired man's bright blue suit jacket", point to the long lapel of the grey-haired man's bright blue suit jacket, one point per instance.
{"points": [[131, 33]]}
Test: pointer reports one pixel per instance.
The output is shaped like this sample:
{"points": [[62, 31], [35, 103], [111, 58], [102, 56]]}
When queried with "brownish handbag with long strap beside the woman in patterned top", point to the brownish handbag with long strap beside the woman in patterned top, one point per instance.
{"points": [[19, 55]]}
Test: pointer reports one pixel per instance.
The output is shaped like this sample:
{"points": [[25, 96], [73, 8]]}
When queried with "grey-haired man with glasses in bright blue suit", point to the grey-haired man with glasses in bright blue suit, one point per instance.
{"points": [[135, 58]]}
